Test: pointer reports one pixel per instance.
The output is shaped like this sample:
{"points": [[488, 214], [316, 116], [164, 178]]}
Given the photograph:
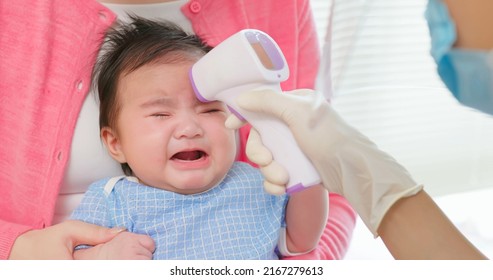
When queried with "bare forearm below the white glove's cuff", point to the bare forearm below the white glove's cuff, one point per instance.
{"points": [[416, 228]]}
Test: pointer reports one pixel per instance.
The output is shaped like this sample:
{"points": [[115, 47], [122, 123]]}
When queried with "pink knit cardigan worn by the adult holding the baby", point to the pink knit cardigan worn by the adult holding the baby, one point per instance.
{"points": [[47, 51]]}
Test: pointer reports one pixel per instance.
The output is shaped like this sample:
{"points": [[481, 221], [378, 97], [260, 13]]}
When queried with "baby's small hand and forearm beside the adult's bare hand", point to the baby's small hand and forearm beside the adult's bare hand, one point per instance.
{"points": [[125, 246]]}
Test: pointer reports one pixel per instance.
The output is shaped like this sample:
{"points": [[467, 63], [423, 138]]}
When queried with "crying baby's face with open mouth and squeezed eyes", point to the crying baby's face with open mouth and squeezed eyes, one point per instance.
{"points": [[169, 138]]}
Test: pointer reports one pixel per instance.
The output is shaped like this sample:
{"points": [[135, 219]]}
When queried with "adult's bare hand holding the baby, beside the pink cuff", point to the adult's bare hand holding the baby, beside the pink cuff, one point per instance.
{"points": [[58, 242]]}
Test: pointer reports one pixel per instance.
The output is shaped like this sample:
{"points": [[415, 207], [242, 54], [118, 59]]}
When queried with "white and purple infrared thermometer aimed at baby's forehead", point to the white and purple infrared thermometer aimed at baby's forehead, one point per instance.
{"points": [[247, 61]]}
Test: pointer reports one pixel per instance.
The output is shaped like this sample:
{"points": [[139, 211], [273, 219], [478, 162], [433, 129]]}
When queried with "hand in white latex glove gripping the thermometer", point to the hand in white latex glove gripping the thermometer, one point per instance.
{"points": [[349, 164]]}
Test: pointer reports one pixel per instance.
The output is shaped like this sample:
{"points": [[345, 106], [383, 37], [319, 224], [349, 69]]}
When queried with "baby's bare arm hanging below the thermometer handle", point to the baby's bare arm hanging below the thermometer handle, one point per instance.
{"points": [[306, 217]]}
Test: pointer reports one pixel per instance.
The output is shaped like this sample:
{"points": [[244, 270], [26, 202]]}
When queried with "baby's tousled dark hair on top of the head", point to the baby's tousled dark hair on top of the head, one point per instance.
{"points": [[129, 46]]}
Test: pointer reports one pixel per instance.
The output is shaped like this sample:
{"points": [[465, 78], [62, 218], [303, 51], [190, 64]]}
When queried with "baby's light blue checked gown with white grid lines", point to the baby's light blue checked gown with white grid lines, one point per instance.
{"points": [[234, 220]]}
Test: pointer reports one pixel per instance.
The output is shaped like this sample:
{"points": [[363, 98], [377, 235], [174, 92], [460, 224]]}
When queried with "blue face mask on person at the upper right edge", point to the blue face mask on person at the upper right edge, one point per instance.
{"points": [[468, 74]]}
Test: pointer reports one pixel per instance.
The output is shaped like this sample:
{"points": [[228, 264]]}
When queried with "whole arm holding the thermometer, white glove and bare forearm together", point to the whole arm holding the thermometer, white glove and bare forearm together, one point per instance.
{"points": [[390, 203]]}
